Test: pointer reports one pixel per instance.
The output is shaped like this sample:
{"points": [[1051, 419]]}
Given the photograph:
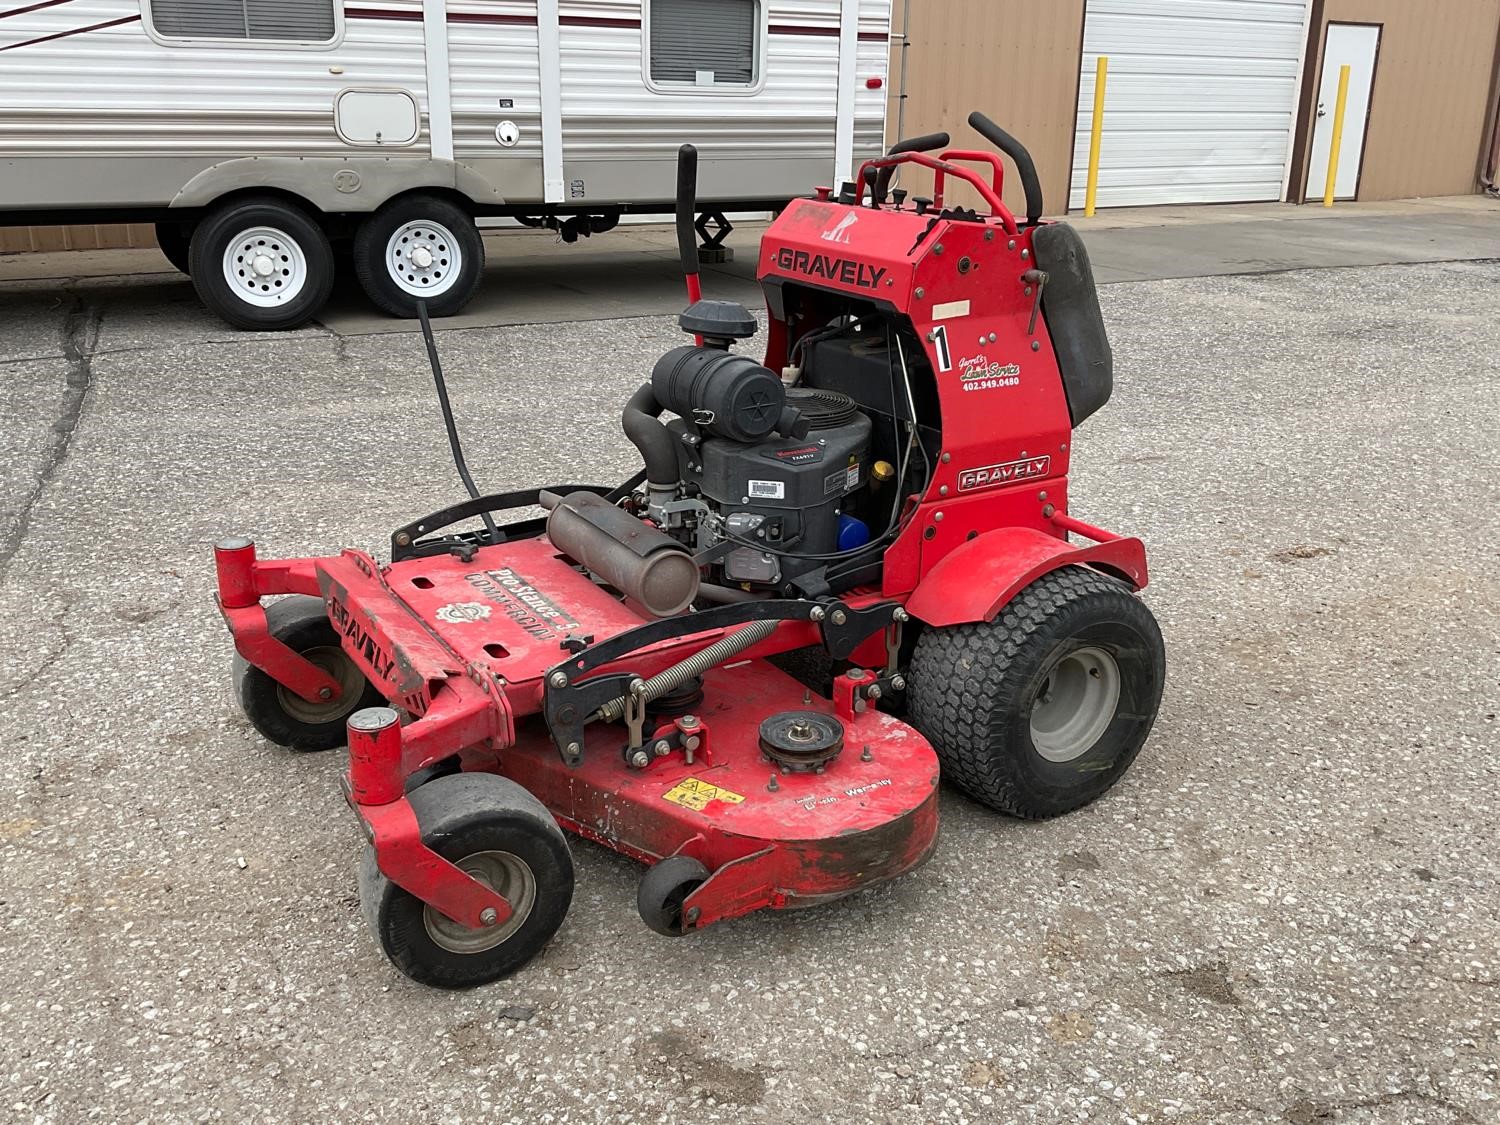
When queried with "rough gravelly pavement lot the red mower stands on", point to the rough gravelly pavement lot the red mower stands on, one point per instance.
{"points": [[1288, 913]]}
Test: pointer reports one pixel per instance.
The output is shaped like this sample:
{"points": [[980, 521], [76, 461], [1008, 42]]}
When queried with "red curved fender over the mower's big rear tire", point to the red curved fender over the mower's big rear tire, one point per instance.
{"points": [[977, 580]]}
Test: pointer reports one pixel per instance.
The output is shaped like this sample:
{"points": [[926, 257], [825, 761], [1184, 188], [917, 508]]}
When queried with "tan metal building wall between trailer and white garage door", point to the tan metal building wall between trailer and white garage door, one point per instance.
{"points": [[1015, 61]]}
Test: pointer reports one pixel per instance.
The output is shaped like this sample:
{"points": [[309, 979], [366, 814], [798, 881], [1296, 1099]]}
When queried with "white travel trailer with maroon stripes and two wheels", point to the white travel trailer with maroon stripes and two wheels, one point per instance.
{"points": [[259, 136]]}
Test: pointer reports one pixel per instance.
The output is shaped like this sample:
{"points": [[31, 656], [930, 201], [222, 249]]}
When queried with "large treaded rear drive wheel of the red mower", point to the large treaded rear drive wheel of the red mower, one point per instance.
{"points": [[1042, 710]]}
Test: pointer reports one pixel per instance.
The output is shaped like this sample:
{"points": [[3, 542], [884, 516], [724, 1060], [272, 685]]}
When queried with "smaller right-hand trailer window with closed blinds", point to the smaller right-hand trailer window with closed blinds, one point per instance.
{"points": [[704, 43]]}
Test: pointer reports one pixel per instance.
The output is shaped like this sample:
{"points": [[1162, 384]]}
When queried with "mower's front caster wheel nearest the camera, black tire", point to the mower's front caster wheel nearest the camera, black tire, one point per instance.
{"points": [[503, 836]]}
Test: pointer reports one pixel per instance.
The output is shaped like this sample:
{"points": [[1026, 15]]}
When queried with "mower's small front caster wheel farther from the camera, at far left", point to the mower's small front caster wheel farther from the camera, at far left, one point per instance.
{"points": [[283, 716]]}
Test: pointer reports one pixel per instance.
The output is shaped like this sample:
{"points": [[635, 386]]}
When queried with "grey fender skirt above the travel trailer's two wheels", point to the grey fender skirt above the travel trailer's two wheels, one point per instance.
{"points": [[335, 184]]}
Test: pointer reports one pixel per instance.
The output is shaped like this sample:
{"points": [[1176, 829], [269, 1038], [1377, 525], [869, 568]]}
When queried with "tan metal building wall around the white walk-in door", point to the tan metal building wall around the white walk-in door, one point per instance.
{"points": [[1430, 101]]}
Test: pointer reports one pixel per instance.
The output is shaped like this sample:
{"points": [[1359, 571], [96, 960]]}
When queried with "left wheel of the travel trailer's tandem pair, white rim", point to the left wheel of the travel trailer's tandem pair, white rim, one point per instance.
{"points": [[262, 265]]}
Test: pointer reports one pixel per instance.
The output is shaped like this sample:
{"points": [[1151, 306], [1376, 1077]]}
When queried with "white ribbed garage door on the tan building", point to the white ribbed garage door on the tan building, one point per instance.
{"points": [[1199, 104]]}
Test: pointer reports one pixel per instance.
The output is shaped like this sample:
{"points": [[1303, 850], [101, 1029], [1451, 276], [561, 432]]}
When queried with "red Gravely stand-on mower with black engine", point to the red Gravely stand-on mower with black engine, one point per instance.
{"points": [[881, 506]]}
